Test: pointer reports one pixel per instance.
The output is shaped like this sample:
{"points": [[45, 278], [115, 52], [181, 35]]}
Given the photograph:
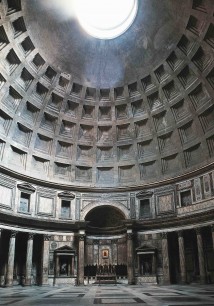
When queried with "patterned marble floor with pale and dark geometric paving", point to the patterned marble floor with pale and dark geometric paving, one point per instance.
{"points": [[175, 295]]}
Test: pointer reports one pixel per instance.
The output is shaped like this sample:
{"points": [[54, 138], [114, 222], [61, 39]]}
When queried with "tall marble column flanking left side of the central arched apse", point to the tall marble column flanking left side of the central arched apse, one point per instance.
{"points": [[81, 257]]}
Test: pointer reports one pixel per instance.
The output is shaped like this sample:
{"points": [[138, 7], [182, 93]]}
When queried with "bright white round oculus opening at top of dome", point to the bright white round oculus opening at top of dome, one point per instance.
{"points": [[105, 19]]}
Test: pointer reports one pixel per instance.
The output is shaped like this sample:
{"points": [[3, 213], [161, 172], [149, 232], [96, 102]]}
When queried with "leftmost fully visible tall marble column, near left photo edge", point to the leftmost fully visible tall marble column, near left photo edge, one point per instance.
{"points": [[11, 257]]}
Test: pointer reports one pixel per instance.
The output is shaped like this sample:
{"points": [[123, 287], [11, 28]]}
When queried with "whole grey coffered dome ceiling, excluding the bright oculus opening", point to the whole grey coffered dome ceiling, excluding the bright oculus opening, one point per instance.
{"points": [[81, 111]]}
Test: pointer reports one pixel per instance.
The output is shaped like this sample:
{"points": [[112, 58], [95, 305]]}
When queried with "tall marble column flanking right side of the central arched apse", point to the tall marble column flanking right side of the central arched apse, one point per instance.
{"points": [[130, 258]]}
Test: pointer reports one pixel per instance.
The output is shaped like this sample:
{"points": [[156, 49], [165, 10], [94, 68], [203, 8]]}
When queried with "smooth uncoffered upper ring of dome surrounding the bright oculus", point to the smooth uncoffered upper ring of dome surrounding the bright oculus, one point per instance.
{"points": [[106, 63]]}
